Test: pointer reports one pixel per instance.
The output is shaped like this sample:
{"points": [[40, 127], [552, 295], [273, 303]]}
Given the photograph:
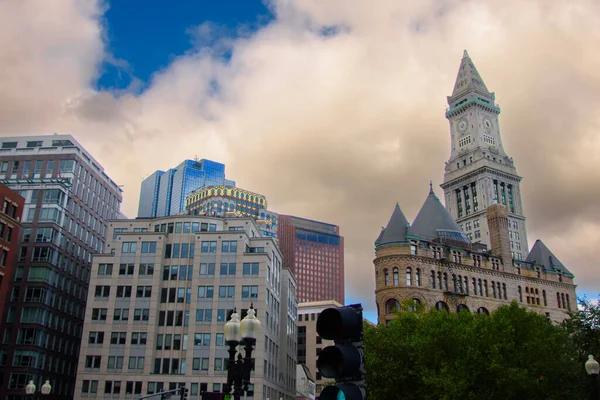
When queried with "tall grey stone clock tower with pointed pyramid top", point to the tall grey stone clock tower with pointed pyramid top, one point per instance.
{"points": [[479, 173]]}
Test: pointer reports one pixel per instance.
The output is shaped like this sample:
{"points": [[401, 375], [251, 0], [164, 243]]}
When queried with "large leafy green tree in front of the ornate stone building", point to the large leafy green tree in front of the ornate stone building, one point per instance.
{"points": [[511, 354]]}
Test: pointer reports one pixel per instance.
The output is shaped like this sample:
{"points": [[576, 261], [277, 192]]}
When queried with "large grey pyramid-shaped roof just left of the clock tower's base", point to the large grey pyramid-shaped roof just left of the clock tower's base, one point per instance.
{"points": [[433, 220]]}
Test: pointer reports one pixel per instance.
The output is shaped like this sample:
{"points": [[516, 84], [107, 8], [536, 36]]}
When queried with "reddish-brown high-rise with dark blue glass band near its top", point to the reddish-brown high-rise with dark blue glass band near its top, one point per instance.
{"points": [[314, 251]]}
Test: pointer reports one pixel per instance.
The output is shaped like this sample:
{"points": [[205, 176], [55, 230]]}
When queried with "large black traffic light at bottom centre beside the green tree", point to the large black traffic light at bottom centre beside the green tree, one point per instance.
{"points": [[343, 361]]}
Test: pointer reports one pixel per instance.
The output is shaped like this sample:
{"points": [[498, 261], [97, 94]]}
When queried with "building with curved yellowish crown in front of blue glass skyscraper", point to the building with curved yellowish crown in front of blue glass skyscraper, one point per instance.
{"points": [[224, 201]]}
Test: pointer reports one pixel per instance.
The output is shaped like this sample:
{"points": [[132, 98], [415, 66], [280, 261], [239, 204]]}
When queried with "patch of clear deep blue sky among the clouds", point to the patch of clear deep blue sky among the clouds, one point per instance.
{"points": [[144, 36]]}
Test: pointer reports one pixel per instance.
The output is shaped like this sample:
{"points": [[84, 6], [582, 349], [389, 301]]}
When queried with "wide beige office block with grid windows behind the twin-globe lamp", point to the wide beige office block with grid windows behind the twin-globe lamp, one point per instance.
{"points": [[160, 296]]}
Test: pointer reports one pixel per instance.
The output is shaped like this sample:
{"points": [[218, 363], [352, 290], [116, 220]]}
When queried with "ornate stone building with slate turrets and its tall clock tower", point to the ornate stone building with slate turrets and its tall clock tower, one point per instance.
{"points": [[473, 254]]}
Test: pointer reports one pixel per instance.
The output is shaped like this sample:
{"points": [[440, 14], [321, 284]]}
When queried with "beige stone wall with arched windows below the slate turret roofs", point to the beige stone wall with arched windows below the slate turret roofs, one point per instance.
{"points": [[398, 256]]}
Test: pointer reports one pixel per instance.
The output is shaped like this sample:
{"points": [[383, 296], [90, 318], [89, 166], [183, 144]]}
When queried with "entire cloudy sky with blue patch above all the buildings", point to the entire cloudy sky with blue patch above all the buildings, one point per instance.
{"points": [[334, 110]]}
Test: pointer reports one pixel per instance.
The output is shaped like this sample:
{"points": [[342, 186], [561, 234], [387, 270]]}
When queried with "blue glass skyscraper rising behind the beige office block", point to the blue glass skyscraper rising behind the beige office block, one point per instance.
{"points": [[164, 193]]}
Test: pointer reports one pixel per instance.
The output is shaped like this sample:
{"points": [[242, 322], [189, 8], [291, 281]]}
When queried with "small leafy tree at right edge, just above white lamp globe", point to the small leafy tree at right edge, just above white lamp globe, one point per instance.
{"points": [[584, 327]]}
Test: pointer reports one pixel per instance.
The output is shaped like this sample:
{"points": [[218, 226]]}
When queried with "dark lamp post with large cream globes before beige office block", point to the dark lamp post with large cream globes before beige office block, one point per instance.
{"points": [[241, 333]]}
